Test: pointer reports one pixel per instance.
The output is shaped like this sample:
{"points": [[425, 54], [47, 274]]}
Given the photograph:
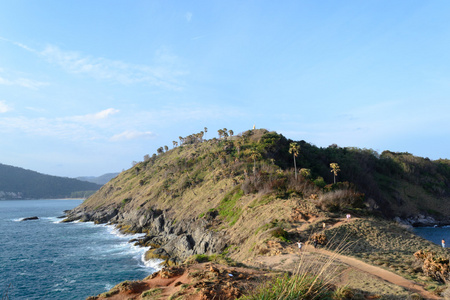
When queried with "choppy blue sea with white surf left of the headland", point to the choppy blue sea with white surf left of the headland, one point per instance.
{"points": [[46, 259]]}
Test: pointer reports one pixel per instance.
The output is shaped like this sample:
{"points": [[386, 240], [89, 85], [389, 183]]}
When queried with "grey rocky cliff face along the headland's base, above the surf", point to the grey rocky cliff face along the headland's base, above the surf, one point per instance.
{"points": [[171, 240]]}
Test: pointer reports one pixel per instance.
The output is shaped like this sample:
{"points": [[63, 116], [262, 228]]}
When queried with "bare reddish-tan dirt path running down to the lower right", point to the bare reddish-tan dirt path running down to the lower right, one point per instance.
{"points": [[288, 262]]}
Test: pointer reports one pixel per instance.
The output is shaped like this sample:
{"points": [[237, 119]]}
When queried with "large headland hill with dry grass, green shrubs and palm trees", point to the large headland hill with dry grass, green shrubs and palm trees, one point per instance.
{"points": [[241, 197]]}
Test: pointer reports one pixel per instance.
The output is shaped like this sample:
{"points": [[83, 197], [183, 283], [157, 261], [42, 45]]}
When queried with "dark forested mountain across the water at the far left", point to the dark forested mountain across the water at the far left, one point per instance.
{"points": [[18, 183]]}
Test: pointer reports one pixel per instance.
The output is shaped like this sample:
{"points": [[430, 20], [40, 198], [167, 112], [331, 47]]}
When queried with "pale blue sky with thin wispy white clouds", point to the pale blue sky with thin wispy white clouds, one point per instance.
{"points": [[87, 87]]}
